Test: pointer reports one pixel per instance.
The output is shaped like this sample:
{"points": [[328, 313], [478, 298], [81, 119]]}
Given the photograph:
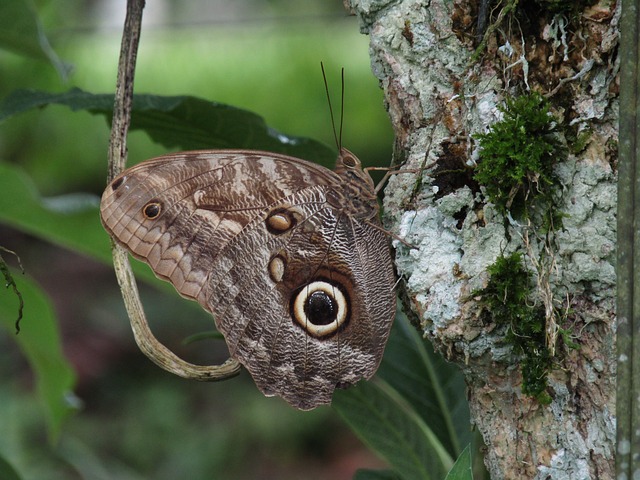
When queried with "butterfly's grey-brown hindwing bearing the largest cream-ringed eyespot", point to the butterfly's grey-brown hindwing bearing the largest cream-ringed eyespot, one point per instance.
{"points": [[311, 324]]}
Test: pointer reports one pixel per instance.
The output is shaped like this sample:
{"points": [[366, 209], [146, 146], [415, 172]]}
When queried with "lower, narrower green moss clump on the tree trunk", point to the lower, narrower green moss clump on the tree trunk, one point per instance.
{"points": [[507, 298]]}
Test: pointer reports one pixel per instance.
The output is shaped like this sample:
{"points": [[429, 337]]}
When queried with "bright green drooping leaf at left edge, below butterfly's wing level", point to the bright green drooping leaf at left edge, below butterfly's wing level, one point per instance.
{"points": [[39, 340]]}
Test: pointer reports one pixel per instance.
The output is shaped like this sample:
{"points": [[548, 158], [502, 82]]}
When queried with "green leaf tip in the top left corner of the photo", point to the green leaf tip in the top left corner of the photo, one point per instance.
{"points": [[21, 32]]}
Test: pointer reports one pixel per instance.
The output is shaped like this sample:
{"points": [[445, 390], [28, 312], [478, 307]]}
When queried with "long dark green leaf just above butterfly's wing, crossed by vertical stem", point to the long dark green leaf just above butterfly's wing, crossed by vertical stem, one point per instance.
{"points": [[184, 122]]}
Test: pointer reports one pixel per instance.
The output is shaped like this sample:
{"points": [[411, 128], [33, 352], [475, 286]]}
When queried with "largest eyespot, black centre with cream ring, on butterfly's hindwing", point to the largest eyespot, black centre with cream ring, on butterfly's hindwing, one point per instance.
{"points": [[320, 308]]}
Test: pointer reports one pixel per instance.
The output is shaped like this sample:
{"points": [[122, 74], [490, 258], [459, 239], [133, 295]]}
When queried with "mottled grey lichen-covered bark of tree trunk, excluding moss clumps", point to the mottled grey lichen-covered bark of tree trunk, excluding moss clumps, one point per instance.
{"points": [[438, 97]]}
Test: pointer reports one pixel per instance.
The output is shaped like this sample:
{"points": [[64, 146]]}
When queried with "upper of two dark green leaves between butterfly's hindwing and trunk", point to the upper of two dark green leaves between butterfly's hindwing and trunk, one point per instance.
{"points": [[432, 386]]}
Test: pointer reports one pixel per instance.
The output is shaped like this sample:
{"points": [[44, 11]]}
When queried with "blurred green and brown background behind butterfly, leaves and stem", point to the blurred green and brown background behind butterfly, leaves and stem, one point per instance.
{"points": [[134, 420]]}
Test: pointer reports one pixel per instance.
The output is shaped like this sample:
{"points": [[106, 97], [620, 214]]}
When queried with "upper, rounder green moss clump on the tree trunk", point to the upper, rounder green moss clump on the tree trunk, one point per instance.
{"points": [[518, 153]]}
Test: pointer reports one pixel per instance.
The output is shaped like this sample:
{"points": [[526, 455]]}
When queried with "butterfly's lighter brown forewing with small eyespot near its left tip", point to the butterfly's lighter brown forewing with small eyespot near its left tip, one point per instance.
{"points": [[205, 200]]}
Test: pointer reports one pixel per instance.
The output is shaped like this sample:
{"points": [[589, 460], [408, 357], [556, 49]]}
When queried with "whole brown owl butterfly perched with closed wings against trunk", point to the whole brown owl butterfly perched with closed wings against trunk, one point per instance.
{"points": [[287, 255]]}
